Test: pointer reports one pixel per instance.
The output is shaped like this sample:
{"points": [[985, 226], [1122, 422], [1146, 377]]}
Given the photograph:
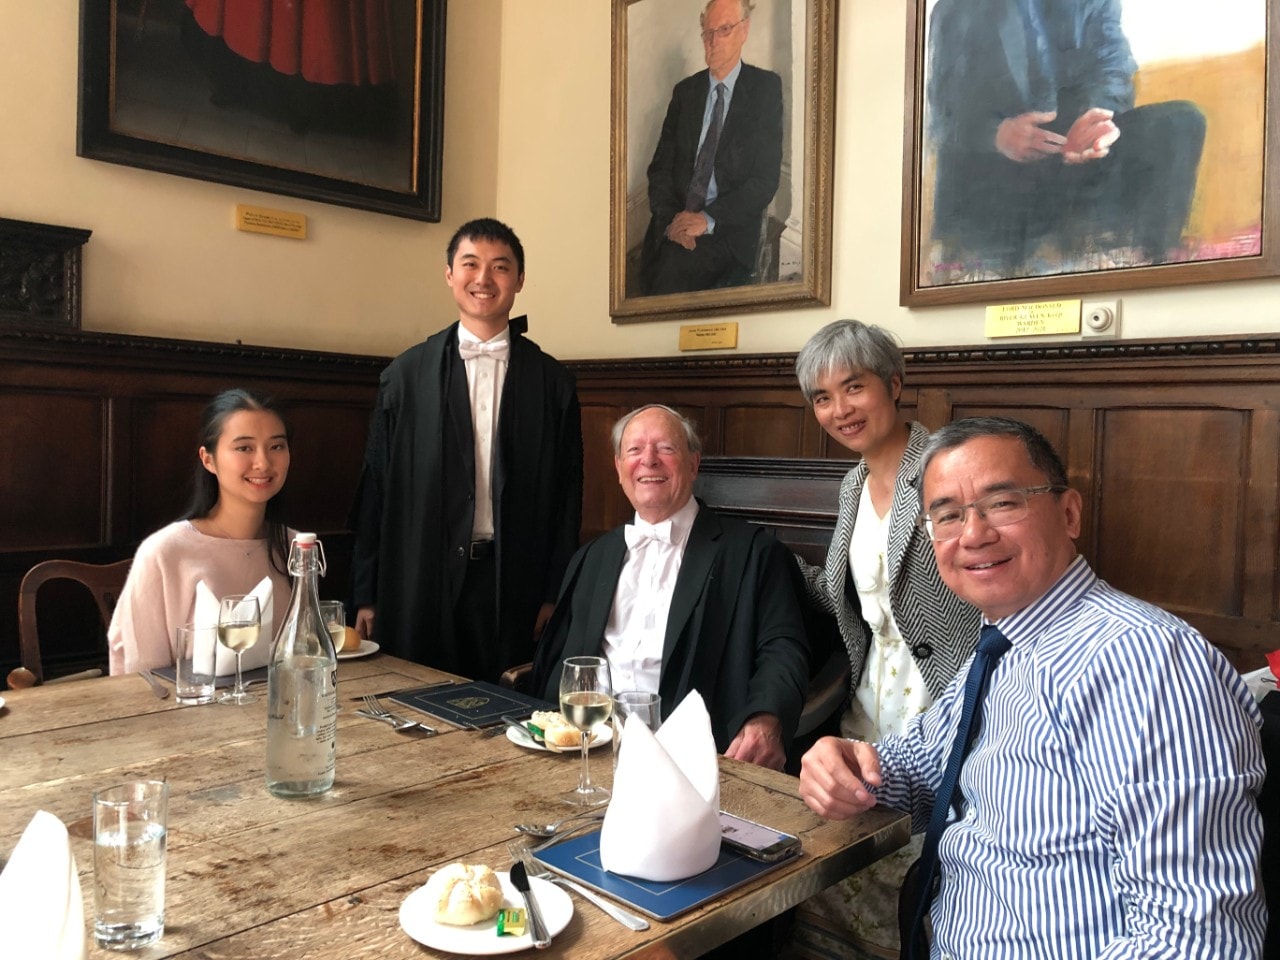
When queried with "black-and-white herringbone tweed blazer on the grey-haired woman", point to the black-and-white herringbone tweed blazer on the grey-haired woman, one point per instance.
{"points": [[939, 627]]}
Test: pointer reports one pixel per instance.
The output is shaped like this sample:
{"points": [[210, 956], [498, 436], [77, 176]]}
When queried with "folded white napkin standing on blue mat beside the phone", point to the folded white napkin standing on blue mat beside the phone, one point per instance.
{"points": [[664, 822]]}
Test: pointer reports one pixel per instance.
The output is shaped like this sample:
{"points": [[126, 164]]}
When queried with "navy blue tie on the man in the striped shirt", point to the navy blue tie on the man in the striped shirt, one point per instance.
{"points": [[991, 647]]}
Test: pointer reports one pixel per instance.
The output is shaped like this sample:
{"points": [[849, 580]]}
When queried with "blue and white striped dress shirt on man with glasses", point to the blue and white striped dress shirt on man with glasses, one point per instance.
{"points": [[1110, 798]]}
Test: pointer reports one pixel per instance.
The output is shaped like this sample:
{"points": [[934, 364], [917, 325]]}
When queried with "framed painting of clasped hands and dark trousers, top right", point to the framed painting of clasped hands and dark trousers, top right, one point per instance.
{"points": [[1178, 58]]}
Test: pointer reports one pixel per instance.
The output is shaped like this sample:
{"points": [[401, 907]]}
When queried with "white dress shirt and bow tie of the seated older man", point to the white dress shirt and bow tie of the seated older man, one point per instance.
{"points": [[638, 623]]}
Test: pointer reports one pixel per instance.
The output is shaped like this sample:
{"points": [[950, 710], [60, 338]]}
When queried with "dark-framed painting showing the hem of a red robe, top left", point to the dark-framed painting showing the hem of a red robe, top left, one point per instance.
{"points": [[351, 113]]}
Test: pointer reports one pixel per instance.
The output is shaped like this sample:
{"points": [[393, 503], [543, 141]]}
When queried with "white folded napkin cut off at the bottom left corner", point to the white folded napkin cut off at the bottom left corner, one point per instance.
{"points": [[42, 908]]}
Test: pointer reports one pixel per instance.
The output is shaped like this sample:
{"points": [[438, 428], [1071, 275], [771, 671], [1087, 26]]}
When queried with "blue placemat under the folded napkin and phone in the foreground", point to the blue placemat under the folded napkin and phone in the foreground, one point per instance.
{"points": [[580, 858]]}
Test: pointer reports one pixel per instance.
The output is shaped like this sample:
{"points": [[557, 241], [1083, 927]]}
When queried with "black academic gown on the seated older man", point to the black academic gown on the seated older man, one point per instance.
{"points": [[734, 632]]}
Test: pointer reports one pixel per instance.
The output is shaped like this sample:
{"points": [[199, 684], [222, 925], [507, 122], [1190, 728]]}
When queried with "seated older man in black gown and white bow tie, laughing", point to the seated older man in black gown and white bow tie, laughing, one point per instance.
{"points": [[684, 600]]}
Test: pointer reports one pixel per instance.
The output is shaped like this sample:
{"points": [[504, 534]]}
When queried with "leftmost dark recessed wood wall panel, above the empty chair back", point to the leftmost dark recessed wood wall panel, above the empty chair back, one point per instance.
{"points": [[52, 470]]}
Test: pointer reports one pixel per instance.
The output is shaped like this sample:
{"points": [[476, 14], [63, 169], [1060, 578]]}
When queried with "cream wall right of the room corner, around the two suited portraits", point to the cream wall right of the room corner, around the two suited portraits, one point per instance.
{"points": [[554, 185]]}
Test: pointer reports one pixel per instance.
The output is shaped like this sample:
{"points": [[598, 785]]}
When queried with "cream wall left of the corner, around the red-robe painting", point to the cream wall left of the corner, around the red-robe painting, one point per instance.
{"points": [[164, 259]]}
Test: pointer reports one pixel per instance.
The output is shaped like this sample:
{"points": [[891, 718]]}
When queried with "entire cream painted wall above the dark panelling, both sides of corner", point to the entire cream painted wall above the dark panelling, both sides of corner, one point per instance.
{"points": [[527, 138]]}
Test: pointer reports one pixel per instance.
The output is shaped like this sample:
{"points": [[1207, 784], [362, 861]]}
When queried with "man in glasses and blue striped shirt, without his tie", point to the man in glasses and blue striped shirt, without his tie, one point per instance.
{"points": [[1110, 799]]}
